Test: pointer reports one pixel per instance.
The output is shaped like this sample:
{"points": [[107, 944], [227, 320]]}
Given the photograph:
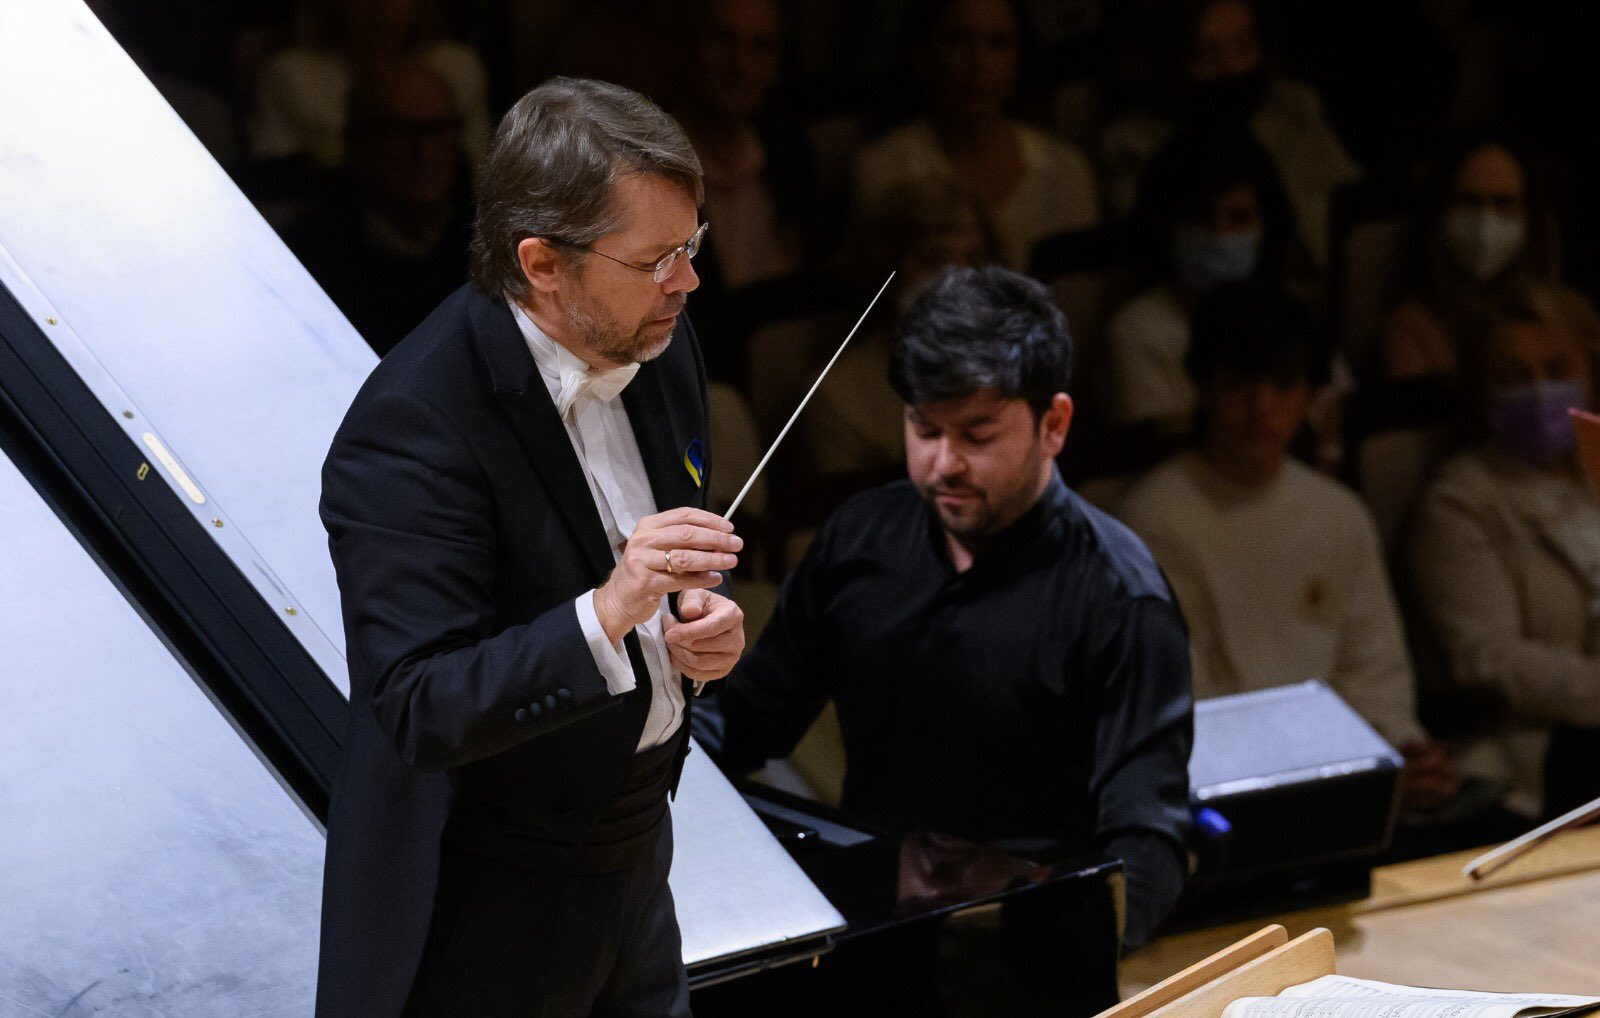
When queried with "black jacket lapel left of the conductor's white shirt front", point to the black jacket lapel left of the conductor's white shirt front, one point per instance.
{"points": [[538, 428]]}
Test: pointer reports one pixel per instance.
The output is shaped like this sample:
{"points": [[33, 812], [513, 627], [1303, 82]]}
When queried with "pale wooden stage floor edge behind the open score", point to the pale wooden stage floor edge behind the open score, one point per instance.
{"points": [[1530, 928]]}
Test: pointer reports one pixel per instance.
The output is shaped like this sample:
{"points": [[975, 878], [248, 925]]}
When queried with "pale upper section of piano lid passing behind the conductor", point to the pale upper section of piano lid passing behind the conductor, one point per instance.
{"points": [[210, 351]]}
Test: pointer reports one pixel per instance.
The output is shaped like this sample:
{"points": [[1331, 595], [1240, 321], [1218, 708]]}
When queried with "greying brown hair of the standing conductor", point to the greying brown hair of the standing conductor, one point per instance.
{"points": [[551, 167]]}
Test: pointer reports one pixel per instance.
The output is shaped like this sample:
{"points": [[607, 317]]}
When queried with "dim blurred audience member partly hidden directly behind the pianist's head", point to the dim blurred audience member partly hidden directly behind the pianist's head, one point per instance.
{"points": [[855, 427]]}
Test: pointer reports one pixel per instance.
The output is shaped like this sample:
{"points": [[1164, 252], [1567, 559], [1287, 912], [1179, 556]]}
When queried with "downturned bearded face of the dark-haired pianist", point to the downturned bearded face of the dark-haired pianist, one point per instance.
{"points": [[983, 460]]}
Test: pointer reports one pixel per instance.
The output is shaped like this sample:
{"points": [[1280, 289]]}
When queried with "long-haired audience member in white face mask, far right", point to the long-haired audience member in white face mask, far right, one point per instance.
{"points": [[1484, 236]]}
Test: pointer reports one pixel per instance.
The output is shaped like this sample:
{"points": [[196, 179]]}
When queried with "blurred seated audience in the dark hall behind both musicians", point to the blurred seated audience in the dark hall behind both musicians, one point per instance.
{"points": [[1217, 166]]}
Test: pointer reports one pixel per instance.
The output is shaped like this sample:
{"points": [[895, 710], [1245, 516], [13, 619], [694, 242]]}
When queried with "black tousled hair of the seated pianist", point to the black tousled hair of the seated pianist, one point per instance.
{"points": [[975, 329]]}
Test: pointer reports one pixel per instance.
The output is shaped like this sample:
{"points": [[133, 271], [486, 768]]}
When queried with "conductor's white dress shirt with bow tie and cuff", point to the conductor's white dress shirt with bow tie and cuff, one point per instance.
{"points": [[598, 423]]}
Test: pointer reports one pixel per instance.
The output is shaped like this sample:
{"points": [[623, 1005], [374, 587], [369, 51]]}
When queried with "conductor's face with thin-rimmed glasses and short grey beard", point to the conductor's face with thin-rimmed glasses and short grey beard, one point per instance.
{"points": [[604, 303]]}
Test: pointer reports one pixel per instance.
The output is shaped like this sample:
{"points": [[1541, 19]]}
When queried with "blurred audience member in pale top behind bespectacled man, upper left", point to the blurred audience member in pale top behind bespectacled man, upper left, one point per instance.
{"points": [[303, 94]]}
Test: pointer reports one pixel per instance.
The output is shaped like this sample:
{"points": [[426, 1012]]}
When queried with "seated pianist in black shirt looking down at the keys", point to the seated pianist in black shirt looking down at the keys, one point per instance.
{"points": [[1007, 662]]}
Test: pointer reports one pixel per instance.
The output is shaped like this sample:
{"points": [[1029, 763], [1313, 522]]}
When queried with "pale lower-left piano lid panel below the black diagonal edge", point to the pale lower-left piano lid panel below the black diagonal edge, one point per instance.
{"points": [[150, 864]]}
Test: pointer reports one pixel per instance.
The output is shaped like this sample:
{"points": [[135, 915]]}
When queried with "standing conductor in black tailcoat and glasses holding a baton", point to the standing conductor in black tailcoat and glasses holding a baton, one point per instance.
{"points": [[510, 502]]}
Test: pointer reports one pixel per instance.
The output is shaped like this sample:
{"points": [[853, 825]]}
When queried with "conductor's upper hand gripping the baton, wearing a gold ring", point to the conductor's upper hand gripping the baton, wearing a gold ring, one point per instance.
{"points": [[679, 550]]}
